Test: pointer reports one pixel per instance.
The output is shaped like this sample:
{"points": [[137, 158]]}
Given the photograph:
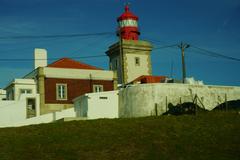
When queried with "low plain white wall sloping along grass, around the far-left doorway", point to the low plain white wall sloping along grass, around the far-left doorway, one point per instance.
{"points": [[14, 113]]}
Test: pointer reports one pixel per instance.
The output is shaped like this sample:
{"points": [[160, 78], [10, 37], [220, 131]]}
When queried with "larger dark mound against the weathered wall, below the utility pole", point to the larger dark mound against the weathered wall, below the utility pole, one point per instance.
{"points": [[184, 108]]}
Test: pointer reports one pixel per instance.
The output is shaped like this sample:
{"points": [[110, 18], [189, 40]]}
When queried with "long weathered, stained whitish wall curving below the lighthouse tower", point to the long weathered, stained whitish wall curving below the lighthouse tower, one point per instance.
{"points": [[140, 100]]}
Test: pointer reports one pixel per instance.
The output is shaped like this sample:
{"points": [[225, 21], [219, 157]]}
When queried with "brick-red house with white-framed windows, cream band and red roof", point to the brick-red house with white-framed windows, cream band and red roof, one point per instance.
{"points": [[62, 81]]}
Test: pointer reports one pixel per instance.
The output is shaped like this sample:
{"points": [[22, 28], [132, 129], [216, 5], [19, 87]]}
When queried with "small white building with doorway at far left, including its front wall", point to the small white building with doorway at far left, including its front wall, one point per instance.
{"points": [[22, 102]]}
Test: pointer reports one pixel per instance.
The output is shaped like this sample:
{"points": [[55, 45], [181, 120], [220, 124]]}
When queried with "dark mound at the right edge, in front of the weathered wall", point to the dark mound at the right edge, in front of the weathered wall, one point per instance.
{"points": [[228, 106]]}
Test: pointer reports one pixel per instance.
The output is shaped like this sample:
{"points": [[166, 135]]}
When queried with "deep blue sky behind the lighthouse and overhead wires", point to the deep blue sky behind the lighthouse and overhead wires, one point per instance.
{"points": [[209, 24]]}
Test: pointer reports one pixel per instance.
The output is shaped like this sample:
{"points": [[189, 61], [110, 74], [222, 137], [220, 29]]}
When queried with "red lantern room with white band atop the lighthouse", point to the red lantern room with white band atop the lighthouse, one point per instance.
{"points": [[128, 25]]}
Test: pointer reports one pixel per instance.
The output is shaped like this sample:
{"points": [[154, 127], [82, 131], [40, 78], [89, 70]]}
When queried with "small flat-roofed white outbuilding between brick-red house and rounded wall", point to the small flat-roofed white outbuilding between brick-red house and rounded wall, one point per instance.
{"points": [[97, 105]]}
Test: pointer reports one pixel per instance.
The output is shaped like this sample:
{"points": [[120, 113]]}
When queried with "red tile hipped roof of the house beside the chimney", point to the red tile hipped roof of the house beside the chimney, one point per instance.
{"points": [[70, 63]]}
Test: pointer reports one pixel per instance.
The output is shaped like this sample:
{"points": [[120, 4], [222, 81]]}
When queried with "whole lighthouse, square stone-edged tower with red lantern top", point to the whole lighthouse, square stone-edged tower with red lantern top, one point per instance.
{"points": [[129, 57]]}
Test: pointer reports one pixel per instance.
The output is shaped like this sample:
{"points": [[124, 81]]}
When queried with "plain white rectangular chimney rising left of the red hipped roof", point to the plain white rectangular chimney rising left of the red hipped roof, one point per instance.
{"points": [[40, 58]]}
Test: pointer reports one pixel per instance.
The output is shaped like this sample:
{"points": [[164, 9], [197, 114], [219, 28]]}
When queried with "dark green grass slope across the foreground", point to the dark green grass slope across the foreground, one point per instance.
{"points": [[205, 136]]}
